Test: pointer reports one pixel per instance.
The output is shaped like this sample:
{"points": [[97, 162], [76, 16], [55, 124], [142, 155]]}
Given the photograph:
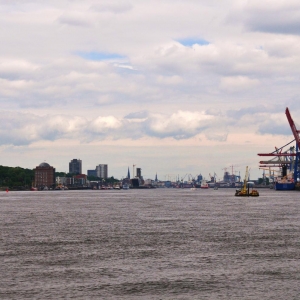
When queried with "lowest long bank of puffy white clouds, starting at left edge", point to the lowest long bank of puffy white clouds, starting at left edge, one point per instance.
{"points": [[27, 128]]}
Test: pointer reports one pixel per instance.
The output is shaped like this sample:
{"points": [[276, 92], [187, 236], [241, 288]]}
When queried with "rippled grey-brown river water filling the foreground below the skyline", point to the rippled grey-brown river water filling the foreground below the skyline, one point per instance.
{"points": [[149, 244]]}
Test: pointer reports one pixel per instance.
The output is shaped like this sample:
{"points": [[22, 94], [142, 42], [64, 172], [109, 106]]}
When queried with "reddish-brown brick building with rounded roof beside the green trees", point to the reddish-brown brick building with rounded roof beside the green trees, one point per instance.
{"points": [[44, 176]]}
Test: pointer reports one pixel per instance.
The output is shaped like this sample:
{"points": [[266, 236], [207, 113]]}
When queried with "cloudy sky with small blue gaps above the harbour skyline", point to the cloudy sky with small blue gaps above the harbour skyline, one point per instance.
{"points": [[172, 87]]}
